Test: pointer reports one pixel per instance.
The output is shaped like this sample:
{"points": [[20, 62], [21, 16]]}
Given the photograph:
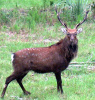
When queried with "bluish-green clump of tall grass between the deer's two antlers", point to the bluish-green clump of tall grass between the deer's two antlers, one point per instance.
{"points": [[72, 10]]}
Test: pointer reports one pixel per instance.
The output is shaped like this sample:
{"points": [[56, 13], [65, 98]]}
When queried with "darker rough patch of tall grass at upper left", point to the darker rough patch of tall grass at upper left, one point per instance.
{"points": [[19, 19]]}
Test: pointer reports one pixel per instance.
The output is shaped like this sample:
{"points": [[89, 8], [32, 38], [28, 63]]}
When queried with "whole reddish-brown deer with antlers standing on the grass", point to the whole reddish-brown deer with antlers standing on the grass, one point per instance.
{"points": [[54, 58]]}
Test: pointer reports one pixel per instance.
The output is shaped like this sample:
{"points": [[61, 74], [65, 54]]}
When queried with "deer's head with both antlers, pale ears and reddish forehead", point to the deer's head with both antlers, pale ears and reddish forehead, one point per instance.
{"points": [[71, 33]]}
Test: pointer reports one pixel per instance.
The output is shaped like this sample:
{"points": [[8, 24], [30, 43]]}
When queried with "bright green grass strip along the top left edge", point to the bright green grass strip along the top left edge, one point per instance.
{"points": [[20, 3]]}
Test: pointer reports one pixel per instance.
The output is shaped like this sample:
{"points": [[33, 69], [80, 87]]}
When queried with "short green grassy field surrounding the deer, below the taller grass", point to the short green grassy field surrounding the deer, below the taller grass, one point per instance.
{"points": [[78, 82]]}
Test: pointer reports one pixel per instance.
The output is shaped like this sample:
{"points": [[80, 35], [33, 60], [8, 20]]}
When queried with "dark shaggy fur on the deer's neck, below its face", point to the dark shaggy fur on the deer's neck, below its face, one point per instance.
{"points": [[68, 49]]}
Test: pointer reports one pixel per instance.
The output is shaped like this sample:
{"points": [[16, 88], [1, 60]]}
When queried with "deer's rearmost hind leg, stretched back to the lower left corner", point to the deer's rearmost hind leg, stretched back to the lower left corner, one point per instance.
{"points": [[8, 80]]}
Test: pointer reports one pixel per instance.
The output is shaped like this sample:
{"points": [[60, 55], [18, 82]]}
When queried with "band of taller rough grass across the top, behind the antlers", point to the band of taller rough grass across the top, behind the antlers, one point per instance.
{"points": [[26, 17]]}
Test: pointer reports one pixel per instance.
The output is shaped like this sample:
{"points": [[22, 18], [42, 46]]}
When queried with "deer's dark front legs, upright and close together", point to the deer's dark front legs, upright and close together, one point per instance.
{"points": [[59, 82]]}
